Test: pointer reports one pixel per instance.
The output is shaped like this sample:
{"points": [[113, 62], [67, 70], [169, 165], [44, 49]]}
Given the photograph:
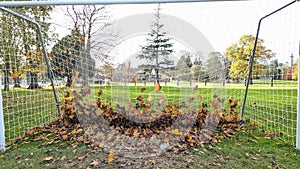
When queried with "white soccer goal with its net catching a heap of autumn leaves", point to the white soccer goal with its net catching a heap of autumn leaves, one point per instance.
{"points": [[143, 71]]}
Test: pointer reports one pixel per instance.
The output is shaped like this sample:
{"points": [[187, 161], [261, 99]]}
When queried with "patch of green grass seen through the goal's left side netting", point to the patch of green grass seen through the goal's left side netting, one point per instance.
{"points": [[26, 108]]}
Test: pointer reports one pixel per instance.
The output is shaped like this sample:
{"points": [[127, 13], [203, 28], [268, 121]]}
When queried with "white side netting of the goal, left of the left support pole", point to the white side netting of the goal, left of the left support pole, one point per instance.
{"points": [[23, 67]]}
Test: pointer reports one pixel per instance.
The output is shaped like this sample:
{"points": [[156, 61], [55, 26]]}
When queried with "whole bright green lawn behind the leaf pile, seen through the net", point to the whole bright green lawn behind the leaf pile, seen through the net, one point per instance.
{"points": [[274, 108]]}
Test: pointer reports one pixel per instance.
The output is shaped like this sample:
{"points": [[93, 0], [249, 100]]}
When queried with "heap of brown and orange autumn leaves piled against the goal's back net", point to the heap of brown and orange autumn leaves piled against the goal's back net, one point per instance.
{"points": [[176, 127]]}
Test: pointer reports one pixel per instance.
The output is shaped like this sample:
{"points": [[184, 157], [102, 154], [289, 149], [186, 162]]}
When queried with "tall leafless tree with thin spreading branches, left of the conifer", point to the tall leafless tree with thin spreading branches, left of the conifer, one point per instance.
{"points": [[93, 22]]}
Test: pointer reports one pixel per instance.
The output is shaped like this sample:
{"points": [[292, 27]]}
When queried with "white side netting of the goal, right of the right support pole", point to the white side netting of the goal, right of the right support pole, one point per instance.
{"points": [[272, 100]]}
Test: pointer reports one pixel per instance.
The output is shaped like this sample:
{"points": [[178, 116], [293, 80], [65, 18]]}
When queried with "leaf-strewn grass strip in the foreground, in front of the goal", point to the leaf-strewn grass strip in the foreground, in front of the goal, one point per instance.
{"points": [[247, 149]]}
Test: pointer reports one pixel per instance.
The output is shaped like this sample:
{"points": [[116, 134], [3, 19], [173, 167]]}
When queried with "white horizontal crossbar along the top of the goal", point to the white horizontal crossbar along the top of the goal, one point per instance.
{"points": [[97, 2]]}
